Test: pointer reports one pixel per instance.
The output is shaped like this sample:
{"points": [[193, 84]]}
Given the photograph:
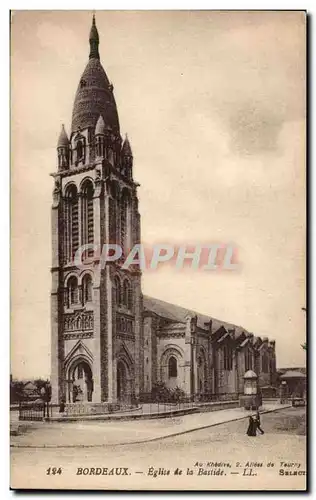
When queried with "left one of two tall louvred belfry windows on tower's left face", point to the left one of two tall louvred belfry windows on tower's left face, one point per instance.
{"points": [[71, 224]]}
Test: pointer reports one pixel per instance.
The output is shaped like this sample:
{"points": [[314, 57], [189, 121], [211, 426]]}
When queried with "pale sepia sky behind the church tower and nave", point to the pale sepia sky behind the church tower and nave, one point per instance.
{"points": [[214, 107]]}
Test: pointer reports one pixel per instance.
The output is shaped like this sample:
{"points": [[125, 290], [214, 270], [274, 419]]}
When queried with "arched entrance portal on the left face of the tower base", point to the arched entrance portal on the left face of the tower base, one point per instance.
{"points": [[82, 382]]}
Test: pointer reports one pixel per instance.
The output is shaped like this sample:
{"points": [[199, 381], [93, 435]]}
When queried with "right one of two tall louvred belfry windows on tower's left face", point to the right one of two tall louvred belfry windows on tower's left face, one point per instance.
{"points": [[87, 229]]}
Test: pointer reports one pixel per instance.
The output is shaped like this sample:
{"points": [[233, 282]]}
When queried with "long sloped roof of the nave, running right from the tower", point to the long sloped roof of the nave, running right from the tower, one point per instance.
{"points": [[178, 314]]}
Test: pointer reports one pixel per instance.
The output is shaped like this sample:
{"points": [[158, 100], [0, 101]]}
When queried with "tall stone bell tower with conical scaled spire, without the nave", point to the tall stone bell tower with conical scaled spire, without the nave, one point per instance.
{"points": [[96, 307]]}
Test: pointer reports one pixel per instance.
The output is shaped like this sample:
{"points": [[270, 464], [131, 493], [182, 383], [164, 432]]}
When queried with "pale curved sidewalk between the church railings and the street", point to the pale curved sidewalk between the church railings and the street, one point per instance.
{"points": [[111, 433]]}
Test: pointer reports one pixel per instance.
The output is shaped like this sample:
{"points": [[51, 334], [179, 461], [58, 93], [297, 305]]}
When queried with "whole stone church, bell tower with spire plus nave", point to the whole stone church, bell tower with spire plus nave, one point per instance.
{"points": [[109, 341]]}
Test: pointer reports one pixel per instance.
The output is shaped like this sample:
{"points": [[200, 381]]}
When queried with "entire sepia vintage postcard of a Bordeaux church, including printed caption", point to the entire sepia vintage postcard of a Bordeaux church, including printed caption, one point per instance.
{"points": [[158, 250]]}
